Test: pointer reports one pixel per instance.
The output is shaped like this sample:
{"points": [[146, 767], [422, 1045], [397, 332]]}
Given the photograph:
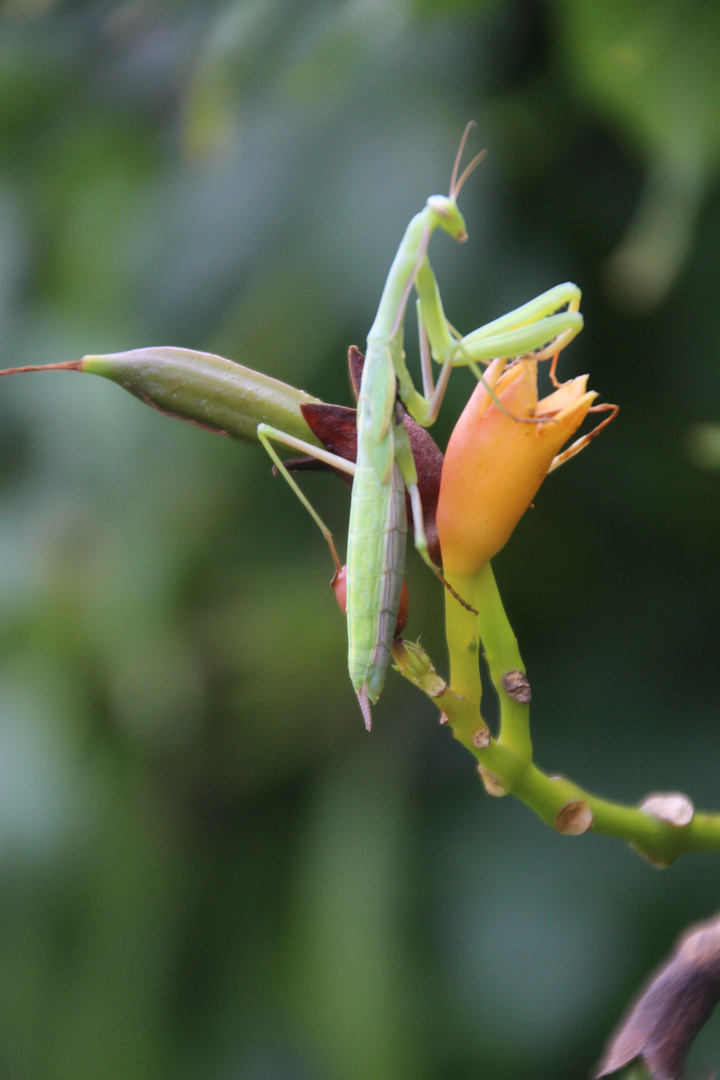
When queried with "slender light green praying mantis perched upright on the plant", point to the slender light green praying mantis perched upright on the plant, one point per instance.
{"points": [[385, 466]]}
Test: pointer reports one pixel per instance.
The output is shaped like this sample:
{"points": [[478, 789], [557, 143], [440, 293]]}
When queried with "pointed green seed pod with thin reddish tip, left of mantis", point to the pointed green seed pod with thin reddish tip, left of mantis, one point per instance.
{"points": [[208, 390]]}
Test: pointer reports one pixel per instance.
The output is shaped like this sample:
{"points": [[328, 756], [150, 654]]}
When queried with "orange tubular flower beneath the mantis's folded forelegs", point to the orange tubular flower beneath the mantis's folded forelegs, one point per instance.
{"points": [[495, 463]]}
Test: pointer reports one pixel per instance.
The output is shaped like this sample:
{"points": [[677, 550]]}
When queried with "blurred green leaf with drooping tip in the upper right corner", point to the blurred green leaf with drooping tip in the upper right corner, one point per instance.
{"points": [[651, 69]]}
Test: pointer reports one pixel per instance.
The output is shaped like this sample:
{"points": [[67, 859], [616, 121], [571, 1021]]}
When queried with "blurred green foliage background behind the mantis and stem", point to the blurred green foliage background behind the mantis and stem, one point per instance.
{"points": [[208, 869]]}
